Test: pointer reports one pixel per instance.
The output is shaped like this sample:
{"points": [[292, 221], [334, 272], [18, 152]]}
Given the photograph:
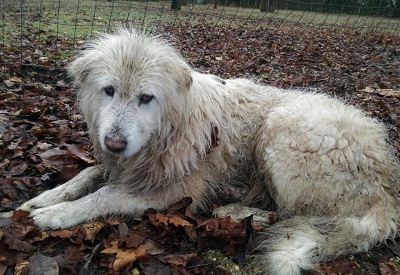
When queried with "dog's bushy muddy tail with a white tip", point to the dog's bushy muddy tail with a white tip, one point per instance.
{"points": [[301, 242]]}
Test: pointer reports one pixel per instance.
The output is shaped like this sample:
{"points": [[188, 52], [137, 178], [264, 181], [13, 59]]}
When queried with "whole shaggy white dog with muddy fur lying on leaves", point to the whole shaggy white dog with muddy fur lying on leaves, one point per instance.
{"points": [[163, 132]]}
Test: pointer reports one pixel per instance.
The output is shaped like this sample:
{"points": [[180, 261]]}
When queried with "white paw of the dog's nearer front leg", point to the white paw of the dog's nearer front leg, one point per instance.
{"points": [[57, 216]]}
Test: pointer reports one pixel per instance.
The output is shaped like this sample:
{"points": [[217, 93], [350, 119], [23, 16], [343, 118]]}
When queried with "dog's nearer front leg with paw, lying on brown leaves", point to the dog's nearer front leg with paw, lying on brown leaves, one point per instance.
{"points": [[108, 200]]}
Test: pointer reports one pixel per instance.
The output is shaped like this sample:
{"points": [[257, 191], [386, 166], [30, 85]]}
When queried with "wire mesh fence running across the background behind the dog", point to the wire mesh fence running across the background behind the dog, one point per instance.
{"points": [[41, 35]]}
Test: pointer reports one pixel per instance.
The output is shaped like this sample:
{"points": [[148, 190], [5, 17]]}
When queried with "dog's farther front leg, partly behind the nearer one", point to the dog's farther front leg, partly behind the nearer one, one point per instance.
{"points": [[86, 181]]}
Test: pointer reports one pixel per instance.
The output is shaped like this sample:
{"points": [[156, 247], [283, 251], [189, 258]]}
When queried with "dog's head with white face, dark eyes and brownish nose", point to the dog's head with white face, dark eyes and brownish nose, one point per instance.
{"points": [[129, 83]]}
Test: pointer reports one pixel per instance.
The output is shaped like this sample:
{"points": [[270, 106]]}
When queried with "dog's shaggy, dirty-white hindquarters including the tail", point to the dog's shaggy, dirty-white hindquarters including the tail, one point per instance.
{"points": [[334, 181]]}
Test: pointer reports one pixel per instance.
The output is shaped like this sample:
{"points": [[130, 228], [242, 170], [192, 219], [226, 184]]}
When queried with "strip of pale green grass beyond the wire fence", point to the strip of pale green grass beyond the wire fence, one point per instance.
{"points": [[82, 18]]}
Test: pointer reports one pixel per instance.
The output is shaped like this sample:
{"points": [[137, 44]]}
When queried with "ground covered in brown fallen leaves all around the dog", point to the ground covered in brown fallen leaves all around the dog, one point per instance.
{"points": [[43, 143]]}
